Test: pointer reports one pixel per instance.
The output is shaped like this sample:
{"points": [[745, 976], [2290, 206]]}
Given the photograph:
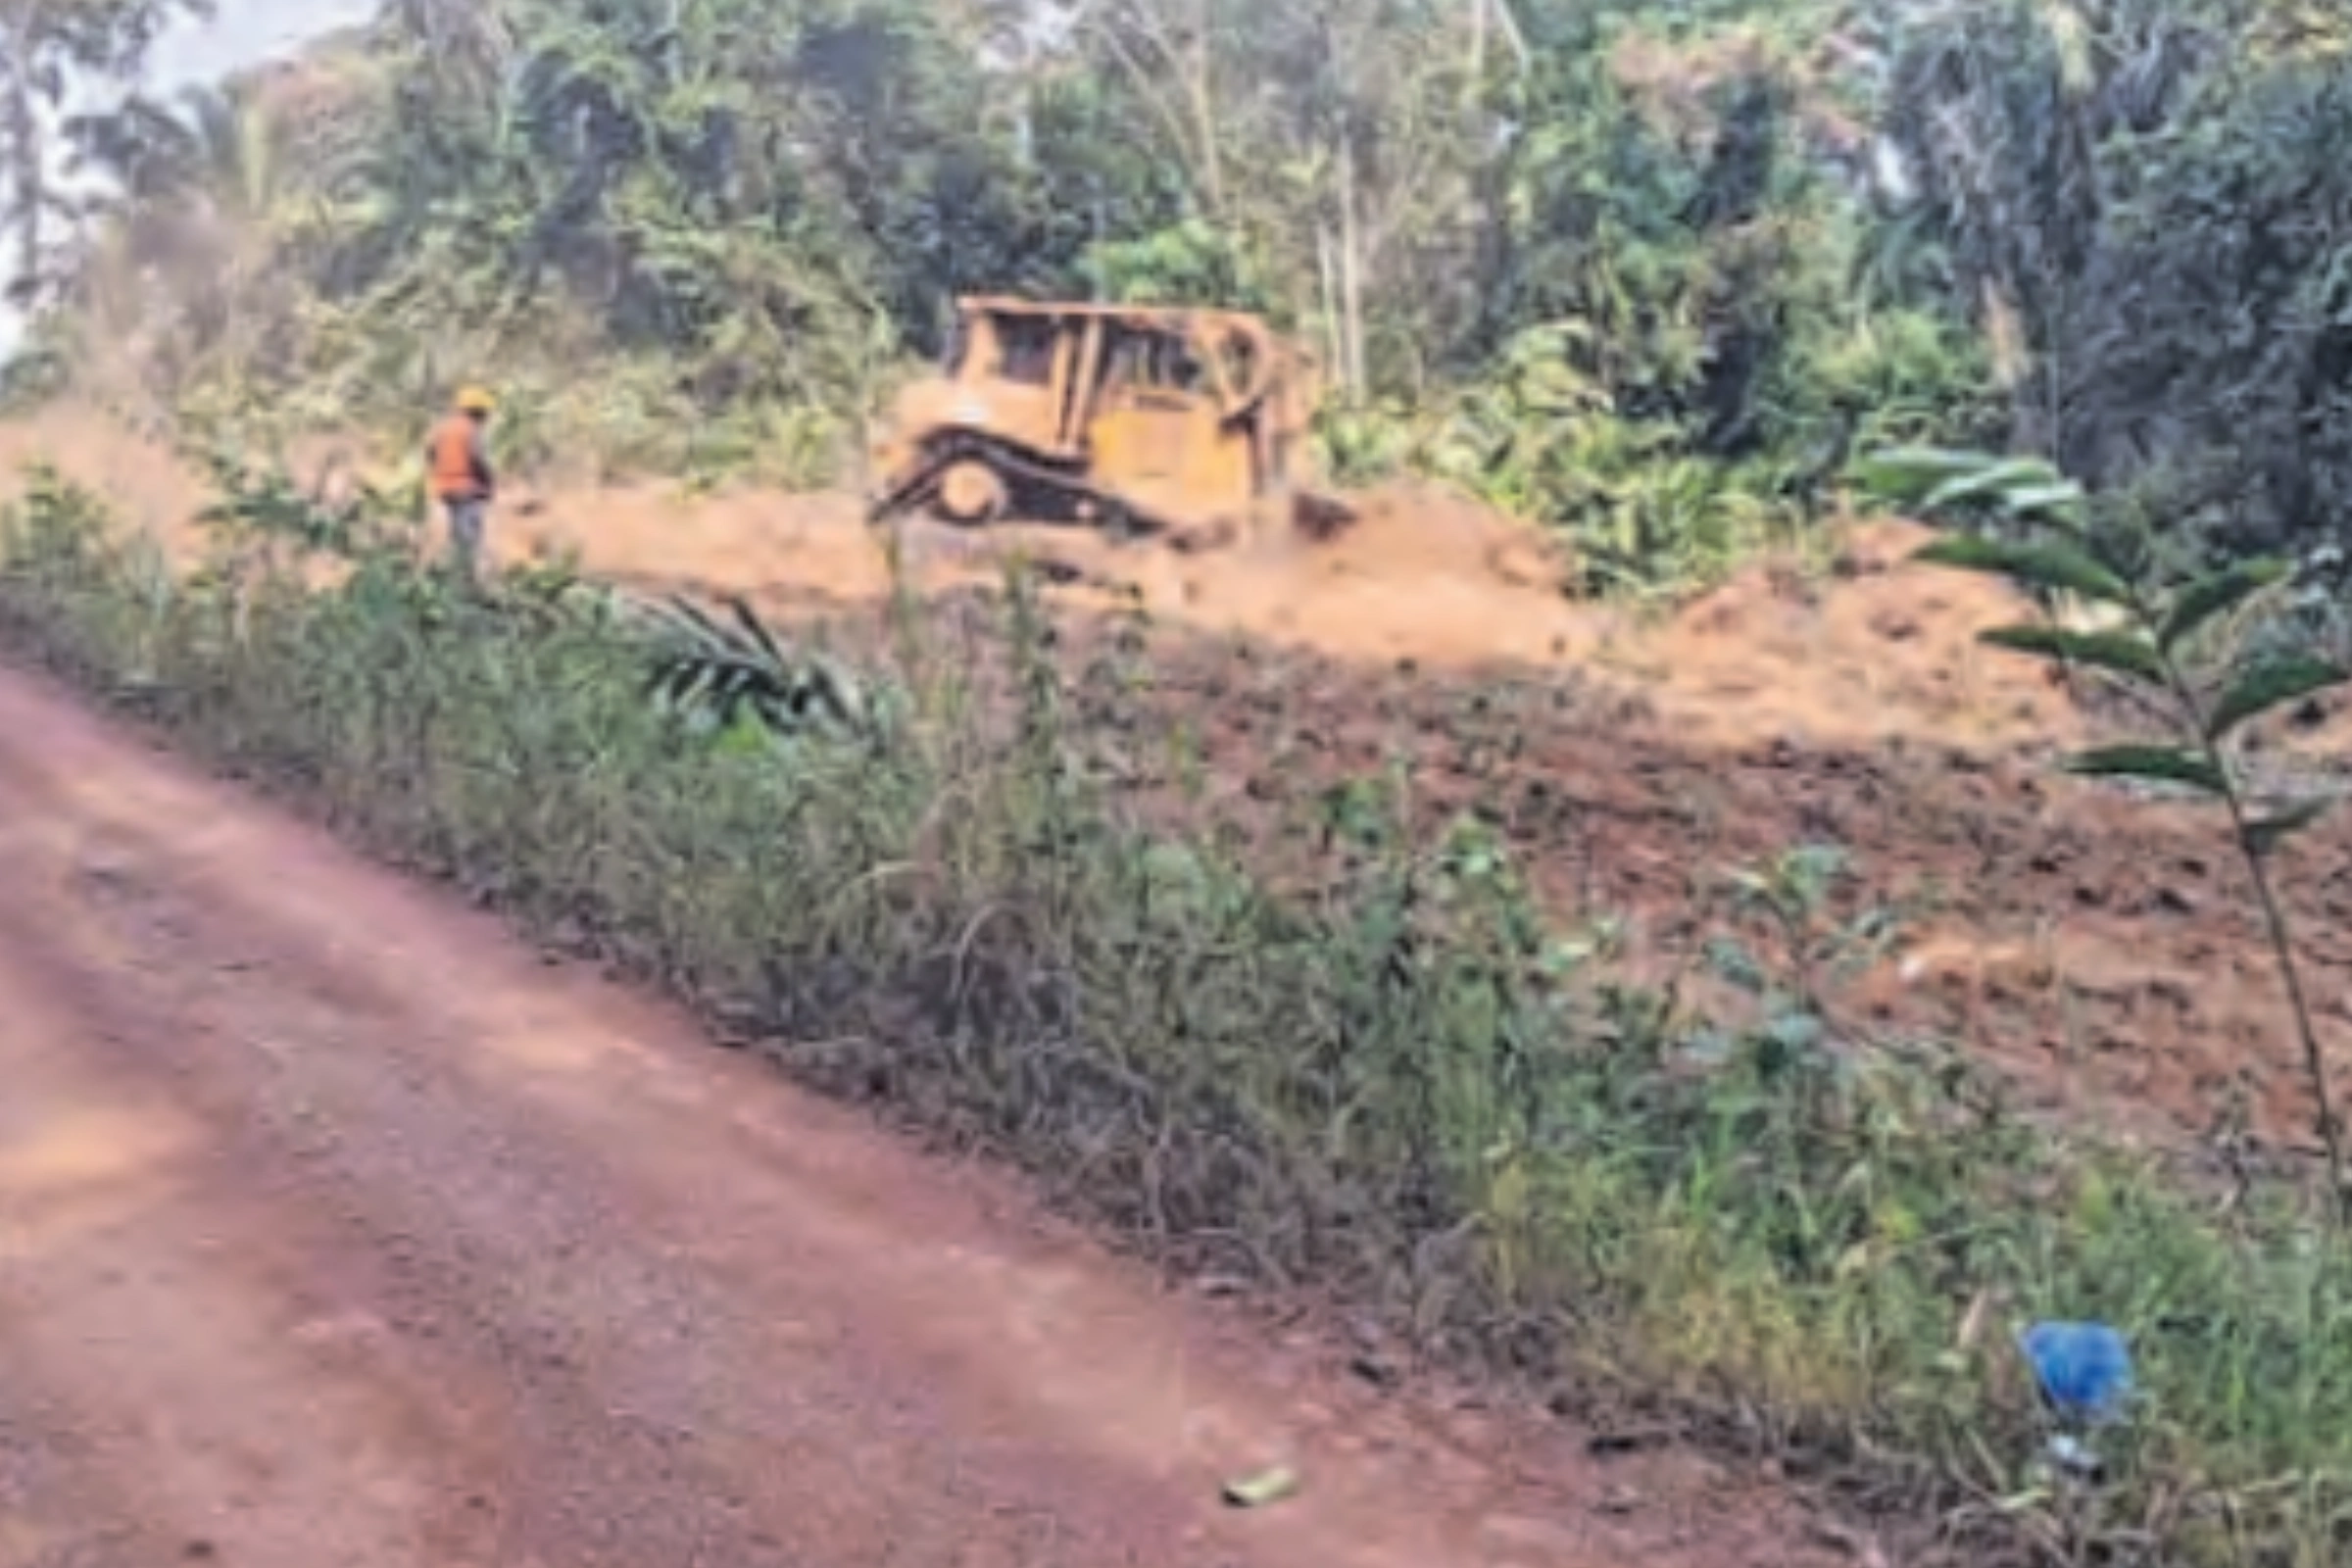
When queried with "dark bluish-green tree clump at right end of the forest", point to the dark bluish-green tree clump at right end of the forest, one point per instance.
{"points": [[2153, 206]]}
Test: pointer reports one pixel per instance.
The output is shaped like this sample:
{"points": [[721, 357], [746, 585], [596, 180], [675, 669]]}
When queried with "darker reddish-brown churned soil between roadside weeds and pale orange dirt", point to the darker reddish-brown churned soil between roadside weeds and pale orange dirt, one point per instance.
{"points": [[2102, 949]]}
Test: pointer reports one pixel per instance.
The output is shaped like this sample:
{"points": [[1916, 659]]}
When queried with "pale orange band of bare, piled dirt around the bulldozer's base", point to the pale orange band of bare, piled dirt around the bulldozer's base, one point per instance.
{"points": [[1857, 655]]}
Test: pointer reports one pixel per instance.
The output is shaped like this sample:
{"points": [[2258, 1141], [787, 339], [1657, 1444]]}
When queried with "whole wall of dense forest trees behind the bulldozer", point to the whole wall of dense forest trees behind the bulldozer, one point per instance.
{"points": [[1648, 272]]}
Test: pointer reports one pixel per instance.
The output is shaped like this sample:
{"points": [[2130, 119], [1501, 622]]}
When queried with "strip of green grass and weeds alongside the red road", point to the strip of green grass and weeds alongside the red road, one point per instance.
{"points": [[1398, 1085]]}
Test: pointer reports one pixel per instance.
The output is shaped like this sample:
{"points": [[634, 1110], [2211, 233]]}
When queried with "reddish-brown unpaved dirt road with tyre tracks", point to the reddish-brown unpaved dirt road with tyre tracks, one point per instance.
{"points": [[335, 1228]]}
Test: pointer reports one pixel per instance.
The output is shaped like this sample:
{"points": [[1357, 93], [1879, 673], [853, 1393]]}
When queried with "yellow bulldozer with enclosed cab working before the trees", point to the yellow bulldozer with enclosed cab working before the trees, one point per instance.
{"points": [[1137, 420]]}
